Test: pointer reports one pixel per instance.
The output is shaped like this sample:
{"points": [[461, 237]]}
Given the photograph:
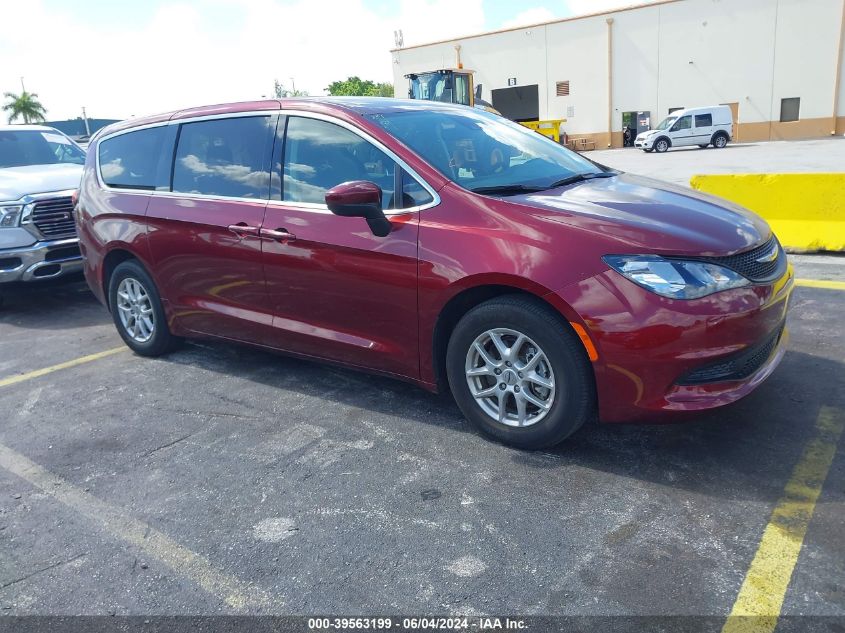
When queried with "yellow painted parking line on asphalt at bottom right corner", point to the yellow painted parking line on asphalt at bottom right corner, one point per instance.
{"points": [[760, 598]]}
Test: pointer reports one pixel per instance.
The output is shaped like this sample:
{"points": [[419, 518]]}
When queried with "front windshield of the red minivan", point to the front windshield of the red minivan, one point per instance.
{"points": [[485, 152]]}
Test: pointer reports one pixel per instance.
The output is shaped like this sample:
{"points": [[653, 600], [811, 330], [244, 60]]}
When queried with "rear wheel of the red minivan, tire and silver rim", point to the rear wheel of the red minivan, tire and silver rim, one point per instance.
{"points": [[137, 312]]}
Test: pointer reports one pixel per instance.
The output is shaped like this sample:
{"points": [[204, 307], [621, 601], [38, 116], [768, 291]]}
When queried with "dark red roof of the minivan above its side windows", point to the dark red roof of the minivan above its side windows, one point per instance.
{"points": [[358, 105]]}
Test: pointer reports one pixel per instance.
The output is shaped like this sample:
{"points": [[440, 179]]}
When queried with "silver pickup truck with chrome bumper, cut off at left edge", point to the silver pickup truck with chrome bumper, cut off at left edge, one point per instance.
{"points": [[40, 170]]}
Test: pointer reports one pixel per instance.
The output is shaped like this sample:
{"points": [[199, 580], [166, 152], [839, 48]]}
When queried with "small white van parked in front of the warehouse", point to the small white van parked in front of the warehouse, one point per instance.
{"points": [[690, 126]]}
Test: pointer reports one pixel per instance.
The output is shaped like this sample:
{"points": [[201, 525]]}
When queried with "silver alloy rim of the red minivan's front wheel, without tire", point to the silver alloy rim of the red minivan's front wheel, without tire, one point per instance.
{"points": [[510, 377]]}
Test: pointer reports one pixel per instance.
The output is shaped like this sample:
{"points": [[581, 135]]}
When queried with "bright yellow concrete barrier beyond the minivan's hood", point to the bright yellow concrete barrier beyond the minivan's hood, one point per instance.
{"points": [[806, 211]]}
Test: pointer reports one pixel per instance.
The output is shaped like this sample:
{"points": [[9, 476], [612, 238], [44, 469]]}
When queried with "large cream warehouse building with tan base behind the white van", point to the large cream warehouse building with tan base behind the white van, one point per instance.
{"points": [[777, 63]]}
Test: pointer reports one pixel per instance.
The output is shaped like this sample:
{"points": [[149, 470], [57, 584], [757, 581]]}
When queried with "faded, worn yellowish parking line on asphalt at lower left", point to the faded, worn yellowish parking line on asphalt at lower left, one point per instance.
{"points": [[236, 593]]}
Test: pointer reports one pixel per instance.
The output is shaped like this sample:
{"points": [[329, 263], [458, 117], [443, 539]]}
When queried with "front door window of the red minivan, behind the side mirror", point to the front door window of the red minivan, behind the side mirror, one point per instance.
{"points": [[320, 155]]}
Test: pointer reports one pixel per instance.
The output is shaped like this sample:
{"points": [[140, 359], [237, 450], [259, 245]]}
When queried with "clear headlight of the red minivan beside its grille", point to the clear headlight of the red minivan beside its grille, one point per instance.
{"points": [[675, 279]]}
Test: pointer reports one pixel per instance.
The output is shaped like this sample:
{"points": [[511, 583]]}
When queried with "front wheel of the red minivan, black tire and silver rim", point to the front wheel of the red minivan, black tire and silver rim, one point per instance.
{"points": [[519, 374]]}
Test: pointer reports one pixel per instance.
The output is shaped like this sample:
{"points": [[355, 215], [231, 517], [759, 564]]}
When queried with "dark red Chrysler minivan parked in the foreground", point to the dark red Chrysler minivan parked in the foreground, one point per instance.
{"points": [[438, 244]]}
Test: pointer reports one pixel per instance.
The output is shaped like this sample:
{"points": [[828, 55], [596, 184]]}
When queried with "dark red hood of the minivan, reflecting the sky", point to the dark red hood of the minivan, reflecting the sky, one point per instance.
{"points": [[648, 216]]}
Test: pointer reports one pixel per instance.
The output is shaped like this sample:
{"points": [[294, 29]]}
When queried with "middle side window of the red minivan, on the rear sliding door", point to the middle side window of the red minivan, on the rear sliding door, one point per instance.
{"points": [[224, 157]]}
